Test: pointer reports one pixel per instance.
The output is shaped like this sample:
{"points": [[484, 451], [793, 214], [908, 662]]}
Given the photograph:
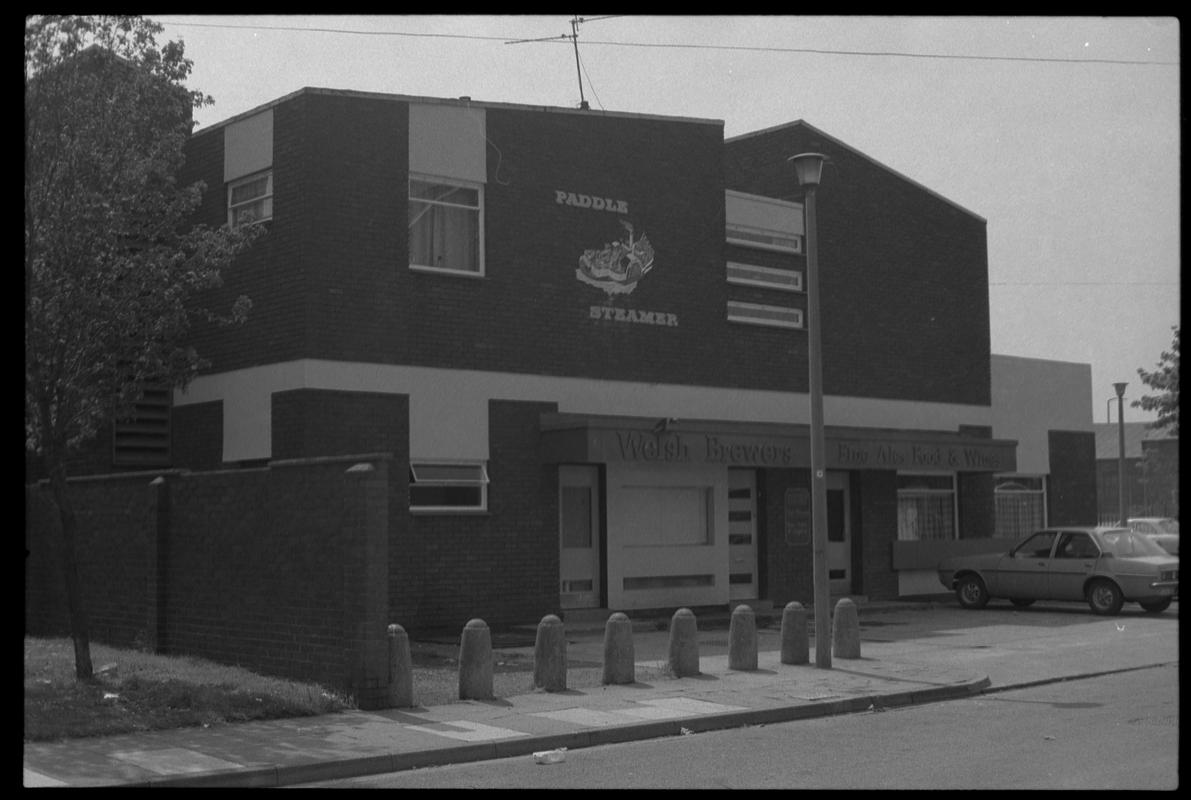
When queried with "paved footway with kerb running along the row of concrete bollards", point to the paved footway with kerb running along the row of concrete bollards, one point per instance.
{"points": [[541, 724]]}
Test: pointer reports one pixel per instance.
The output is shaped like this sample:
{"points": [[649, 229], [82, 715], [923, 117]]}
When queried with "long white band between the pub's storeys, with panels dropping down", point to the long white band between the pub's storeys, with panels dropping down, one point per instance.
{"points": [[450, 409]]}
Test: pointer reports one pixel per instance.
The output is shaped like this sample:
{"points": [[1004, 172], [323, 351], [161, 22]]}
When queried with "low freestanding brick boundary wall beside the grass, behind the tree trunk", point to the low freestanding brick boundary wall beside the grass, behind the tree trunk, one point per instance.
{"points": [[283, 571]]}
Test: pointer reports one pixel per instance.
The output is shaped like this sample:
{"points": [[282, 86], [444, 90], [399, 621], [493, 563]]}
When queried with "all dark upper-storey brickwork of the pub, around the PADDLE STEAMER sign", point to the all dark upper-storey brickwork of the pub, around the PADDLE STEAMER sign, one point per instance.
{"points": [[331, 282]]}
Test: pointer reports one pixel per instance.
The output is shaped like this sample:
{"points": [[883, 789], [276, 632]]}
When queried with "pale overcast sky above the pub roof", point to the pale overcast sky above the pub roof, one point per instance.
{"points": [[1064, 134]]}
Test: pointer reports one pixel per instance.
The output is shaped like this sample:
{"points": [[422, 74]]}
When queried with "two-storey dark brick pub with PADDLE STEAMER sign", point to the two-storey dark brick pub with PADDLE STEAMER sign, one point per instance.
{"points": [[581, 339]]}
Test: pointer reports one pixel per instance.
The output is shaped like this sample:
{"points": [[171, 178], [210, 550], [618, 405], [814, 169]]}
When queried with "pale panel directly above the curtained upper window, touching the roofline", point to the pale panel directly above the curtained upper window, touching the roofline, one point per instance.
{"points": [[448, 142]]}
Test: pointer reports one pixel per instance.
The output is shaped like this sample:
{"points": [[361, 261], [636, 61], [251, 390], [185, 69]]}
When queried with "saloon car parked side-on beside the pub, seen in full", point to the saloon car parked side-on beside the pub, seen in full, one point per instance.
{"points": [[1107, 567]]}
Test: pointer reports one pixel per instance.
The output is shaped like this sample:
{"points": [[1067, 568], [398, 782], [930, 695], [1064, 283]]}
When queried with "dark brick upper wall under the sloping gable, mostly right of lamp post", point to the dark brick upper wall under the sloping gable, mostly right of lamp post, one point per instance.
{"points": [[905, 284]]}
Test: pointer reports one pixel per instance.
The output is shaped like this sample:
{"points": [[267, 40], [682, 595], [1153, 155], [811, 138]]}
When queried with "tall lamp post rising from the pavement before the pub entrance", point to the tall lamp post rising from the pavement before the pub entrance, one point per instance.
{"points": [[809, 167]]}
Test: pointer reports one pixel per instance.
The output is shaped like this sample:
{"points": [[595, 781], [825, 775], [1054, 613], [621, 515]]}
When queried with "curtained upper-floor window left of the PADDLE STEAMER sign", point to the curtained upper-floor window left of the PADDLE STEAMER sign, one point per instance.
{"points": [[446, 226]]}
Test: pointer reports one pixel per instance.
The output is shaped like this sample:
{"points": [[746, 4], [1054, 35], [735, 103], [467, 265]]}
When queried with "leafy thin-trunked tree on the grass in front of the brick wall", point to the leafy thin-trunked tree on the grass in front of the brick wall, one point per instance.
{"points": [[114, 274]]}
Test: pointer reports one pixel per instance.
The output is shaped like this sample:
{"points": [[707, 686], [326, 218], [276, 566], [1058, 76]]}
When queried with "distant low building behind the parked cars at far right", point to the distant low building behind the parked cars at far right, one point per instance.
{"points": [[1151, 471]]}
